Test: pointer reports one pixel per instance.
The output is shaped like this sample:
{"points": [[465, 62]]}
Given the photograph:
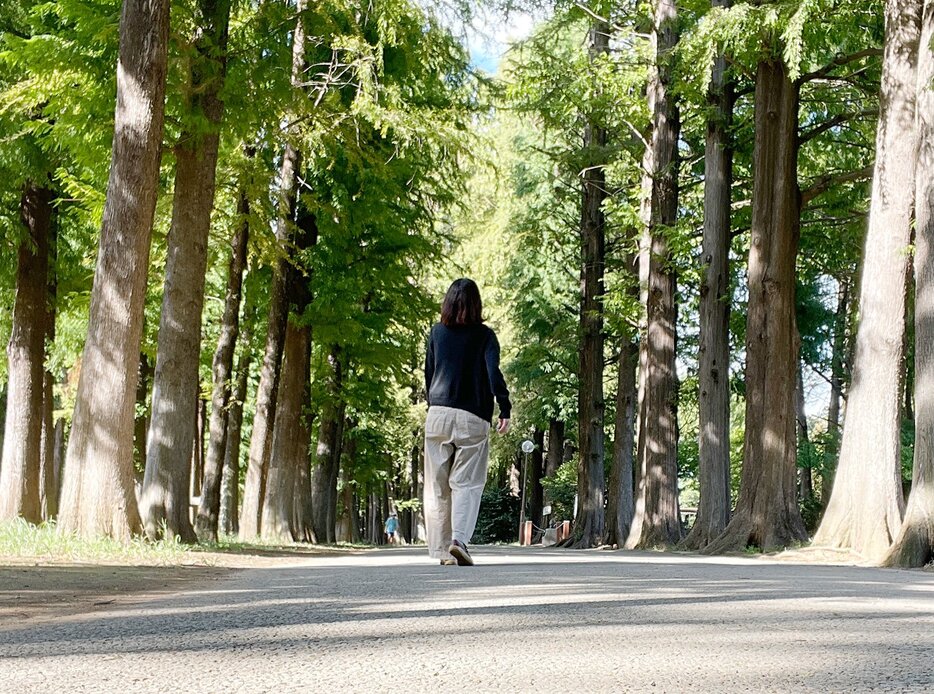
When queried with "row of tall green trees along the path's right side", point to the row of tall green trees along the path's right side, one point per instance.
{"points": [[716, 158]]}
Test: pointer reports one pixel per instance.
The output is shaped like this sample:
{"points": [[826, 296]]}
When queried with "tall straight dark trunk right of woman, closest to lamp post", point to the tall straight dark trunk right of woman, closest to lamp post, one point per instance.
{"points": [[590, 523]]}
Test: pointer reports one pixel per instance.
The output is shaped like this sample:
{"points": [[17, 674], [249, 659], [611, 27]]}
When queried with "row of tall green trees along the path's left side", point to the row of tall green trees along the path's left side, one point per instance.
{"points": [[276, 174]]}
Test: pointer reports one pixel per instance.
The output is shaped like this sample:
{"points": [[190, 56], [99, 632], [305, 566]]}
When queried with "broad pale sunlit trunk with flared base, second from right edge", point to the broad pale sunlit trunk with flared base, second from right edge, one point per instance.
{"points": [[865, 509]]}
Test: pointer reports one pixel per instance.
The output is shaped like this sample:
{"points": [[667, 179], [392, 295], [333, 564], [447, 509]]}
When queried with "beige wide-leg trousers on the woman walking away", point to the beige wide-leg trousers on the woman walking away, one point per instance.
{"points": [[457, 450]]}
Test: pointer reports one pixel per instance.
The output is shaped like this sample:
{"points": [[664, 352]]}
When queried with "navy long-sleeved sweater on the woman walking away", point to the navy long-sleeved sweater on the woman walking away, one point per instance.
{"points": [[462, 370]]}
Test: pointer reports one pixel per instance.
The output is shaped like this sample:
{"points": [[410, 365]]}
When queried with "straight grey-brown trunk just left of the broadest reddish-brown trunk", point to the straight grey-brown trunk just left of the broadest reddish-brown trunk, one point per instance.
{"points": [[713, 510]]}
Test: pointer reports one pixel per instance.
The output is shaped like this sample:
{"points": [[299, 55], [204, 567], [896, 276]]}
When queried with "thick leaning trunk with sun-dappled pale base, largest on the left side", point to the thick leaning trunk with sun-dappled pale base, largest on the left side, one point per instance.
{"points": [[98, 494]]}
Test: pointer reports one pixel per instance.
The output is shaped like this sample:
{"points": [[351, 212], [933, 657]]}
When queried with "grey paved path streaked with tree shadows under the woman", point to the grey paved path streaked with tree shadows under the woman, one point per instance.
{"points": [[521, 621]]}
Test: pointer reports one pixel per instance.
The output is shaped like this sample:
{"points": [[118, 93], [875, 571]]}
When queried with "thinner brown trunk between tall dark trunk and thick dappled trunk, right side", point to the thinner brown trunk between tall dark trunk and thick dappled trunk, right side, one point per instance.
{"points": [[621, 503]]}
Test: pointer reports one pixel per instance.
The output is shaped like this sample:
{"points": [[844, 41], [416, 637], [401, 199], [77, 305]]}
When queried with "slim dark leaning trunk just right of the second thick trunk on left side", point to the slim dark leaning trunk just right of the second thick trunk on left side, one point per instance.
{"points": [[222, 374]]}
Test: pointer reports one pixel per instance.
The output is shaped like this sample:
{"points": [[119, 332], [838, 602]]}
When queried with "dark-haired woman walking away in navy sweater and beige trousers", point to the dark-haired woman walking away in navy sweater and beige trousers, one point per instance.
{"points": [[462, 378]]}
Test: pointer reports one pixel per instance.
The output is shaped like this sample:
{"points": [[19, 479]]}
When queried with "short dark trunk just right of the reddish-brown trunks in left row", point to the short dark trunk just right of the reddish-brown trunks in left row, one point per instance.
{"points": [[328, 451]]}
